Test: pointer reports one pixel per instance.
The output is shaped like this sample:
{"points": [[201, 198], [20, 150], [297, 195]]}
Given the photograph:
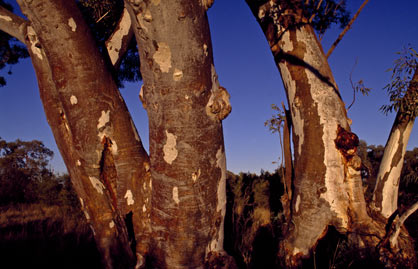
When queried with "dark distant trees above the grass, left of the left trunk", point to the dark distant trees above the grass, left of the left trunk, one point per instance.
{"points": [[26, 178]]}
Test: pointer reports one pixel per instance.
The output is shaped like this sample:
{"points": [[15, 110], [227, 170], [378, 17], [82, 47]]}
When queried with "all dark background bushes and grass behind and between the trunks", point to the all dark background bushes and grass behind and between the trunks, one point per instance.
{"points": [[42, 225]]}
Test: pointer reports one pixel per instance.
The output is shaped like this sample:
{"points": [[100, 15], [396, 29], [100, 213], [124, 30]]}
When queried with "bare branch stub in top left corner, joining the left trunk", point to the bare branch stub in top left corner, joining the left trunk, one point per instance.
{"points": [[12, 24]]}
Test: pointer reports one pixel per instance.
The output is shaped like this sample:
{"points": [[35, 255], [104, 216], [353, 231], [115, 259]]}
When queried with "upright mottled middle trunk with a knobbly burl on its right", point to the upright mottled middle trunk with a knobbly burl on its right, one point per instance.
{"points": [[185, 106]]}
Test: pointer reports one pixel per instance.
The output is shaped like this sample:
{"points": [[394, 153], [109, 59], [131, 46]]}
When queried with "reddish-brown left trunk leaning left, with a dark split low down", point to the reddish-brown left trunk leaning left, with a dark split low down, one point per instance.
{"points": [[92, 127]]}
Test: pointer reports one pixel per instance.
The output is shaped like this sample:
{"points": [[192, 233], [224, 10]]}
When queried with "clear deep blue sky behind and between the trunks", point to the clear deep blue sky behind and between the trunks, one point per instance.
{"points": [[246, 69]]}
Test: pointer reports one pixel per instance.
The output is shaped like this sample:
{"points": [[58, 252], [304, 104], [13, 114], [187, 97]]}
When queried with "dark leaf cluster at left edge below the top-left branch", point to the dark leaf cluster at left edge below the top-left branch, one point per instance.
{"points": [[10, 49]]}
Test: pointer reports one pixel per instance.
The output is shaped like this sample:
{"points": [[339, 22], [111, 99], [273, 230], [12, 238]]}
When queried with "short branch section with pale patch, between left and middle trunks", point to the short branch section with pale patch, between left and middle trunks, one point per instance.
{"points": [[118, 42]]}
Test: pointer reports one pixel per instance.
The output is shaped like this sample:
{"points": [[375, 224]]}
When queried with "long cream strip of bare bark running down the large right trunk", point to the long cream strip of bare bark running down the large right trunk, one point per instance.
{"points": [[330, 117]]}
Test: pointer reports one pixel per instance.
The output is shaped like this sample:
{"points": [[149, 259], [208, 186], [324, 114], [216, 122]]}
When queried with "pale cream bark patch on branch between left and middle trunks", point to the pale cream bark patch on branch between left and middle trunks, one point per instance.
{"points": [[115, 43]]}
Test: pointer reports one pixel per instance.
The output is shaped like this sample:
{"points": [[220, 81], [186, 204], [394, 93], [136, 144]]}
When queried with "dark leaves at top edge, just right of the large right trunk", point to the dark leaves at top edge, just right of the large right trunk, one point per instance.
{"points": [[323, 14]]}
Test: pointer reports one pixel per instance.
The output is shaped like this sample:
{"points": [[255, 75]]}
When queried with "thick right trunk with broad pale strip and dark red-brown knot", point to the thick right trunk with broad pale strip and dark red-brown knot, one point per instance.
{"points": [[327, 185]]}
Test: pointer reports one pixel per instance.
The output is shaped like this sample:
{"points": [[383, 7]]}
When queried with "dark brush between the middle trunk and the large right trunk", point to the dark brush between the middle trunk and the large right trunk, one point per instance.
{"points": [[253, 218]]}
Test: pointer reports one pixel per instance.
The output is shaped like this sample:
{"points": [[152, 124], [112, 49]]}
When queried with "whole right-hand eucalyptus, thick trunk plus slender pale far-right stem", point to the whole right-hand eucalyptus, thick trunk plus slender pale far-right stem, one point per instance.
{"points": [[326, 185]]}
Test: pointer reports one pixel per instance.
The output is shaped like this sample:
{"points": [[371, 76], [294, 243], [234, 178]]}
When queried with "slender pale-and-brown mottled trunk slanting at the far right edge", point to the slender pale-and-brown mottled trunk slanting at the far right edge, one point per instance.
{"points": [[385, 195]]}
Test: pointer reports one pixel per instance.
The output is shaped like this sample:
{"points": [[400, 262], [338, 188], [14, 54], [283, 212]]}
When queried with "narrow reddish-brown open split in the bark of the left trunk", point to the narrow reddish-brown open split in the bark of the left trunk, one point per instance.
{"points": [[108, 170]]}
